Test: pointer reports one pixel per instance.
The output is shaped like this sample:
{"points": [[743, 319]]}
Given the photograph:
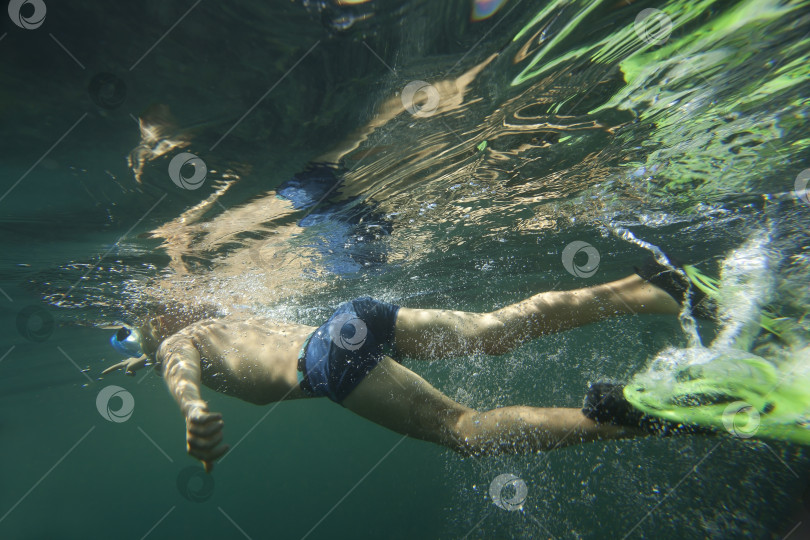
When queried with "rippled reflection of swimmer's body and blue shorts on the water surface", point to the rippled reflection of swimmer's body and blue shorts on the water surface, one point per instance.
{"points": [[256, 235]]}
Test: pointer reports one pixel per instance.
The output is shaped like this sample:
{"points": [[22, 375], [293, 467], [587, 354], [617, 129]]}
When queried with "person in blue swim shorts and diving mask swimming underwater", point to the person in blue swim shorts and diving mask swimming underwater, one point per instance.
{"points": [[354, 359]]}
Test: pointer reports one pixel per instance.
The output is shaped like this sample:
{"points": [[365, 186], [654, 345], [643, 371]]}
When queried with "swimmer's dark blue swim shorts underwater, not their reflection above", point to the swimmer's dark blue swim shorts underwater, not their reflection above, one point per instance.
{"points": [[339, 354]]}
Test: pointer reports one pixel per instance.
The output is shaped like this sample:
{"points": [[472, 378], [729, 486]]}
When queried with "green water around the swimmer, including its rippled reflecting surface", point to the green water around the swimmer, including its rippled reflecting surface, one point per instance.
{"points": [[693, 143]]}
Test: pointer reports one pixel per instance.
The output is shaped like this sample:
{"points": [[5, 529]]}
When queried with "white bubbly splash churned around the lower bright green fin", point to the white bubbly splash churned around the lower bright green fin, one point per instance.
{"points": [[720, 384]]}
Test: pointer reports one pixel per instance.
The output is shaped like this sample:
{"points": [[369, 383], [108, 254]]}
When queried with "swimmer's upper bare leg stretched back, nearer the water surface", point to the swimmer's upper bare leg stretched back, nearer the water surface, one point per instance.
{"points": [[434, 333]]}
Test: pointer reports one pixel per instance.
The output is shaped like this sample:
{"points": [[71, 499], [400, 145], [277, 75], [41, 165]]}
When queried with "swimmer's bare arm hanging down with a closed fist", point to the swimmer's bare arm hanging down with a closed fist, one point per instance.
{"points": [[181, 370]]}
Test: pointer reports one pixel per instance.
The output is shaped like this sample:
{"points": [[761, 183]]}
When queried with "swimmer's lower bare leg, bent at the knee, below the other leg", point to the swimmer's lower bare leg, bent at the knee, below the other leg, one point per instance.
{"points": [[397, 398]]}
